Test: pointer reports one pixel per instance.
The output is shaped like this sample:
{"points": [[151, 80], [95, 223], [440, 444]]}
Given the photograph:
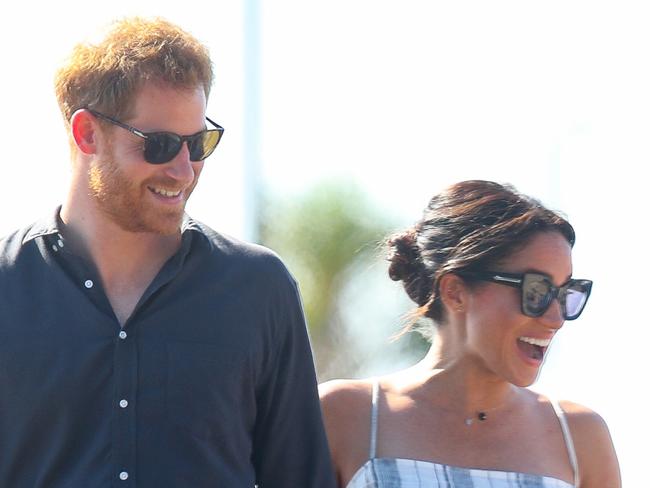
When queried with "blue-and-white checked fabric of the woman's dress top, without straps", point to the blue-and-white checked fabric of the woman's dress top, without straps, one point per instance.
{"points": [[408, 473]]}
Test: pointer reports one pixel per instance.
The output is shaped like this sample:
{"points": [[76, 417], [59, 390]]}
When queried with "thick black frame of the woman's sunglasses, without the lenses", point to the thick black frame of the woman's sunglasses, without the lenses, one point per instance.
{"points": [[520, 280]]}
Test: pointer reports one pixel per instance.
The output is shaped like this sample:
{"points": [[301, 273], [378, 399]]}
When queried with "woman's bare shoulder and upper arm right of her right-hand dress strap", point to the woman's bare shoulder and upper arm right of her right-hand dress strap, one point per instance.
{"points": [[594, 448]]}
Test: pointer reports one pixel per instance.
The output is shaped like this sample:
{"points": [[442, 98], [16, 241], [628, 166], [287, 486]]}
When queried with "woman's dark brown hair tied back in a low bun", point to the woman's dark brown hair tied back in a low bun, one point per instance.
{"points": [[469, 226]]}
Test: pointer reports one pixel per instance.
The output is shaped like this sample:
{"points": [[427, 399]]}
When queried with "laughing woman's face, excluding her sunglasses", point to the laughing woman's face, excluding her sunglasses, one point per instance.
{"points": [[499, 336]]}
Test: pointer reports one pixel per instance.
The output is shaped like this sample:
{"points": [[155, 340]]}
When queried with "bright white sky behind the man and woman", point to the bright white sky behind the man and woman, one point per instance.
{"points": [[406, 98]]}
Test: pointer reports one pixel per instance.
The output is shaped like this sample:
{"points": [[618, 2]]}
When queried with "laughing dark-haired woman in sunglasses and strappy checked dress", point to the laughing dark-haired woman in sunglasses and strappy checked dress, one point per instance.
{"points": [[492, 270]]}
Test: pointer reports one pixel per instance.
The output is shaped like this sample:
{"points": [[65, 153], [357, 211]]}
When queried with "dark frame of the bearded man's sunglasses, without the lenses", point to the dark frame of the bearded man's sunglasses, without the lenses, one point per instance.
{"points": [[177, 139]]}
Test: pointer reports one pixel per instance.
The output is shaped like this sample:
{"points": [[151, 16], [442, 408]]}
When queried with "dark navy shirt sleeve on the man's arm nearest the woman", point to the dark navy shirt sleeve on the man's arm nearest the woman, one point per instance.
{"points": [[289, 443]]}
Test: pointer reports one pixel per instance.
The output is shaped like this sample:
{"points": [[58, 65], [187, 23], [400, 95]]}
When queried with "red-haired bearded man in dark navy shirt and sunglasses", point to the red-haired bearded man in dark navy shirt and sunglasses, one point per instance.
{"points": [[139, 348]]}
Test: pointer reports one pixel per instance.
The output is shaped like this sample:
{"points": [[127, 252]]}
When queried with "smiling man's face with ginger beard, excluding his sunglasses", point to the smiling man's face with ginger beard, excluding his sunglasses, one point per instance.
{"points": [[139, 196]]}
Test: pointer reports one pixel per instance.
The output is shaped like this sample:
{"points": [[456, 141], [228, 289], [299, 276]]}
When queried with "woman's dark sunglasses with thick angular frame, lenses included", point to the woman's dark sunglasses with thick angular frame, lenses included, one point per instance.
{"points": [[537, 292]]}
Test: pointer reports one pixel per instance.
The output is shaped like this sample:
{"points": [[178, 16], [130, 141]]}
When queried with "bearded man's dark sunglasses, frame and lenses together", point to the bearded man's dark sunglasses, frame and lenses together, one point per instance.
{"points": [[162, 147]]}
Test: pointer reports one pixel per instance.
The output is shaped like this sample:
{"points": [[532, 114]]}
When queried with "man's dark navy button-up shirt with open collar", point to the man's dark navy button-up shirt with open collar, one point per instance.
{"points": [[210, 383]]}
